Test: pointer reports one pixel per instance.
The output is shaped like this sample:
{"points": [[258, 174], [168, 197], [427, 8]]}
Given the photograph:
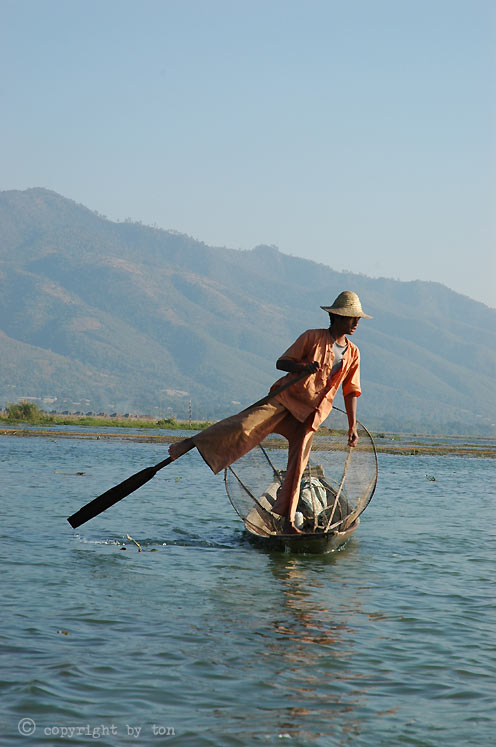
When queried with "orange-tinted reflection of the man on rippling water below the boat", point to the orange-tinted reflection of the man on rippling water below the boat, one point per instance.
{"points": [[315, 641]]}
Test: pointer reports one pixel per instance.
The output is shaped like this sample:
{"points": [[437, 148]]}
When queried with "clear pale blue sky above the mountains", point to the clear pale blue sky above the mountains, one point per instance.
{"points": [[360, 134]]}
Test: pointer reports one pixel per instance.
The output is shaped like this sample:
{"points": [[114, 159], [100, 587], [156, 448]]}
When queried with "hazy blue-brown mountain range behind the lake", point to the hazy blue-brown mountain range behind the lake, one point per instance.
{"points": [[97, 315]]}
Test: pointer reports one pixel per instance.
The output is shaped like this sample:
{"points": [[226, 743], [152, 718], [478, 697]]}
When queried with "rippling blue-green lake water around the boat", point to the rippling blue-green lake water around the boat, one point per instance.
{"points": [[204, 639]]}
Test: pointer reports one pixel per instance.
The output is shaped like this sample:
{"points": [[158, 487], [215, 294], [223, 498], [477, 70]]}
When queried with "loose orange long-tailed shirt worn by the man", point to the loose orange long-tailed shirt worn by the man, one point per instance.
{"points": [[316, 393]]}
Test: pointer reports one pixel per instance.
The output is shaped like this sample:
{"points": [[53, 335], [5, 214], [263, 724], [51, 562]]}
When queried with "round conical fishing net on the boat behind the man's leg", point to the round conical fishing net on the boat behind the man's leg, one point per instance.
{"points": [[336, 487]]}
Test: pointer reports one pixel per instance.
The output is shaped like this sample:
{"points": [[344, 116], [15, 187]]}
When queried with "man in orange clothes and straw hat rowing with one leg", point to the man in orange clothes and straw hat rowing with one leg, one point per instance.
{"points": [[331, 361]]}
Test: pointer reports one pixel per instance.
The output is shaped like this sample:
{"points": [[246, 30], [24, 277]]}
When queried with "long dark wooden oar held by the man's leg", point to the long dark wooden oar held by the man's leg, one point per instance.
{"points": [[107, 499]]}
